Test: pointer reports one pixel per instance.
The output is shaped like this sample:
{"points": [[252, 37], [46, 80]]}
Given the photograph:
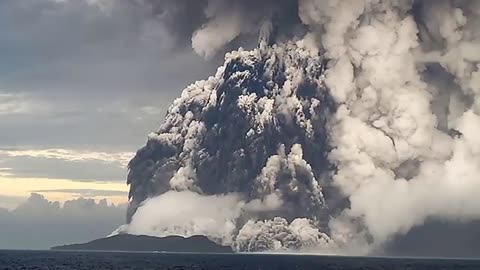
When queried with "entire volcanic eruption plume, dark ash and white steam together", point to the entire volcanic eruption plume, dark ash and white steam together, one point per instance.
{"points": [[339, 138]]}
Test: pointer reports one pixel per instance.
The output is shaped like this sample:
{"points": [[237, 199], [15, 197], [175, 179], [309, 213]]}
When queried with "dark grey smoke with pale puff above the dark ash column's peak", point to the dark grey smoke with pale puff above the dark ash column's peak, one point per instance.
{"points": [[209, 26]]}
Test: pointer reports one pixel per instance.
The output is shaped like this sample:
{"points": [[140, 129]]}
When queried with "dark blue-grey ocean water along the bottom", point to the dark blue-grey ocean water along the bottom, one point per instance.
{"points": [[107, 260]]}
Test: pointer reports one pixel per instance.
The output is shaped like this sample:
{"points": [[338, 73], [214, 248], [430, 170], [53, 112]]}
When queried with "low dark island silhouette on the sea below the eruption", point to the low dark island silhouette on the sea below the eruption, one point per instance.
{"points": [[142, 243]]}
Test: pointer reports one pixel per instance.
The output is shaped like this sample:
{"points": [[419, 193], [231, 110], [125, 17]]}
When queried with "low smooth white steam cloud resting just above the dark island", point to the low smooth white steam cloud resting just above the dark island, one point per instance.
{"points": [[195, 215]]}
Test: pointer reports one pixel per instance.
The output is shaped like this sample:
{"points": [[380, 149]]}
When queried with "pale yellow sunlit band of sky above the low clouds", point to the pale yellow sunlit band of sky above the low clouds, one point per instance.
{"points": [[59, 187]]}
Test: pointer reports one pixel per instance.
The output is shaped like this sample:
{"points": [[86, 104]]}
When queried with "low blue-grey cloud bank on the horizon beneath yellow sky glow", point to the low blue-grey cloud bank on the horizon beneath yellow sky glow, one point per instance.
{"points": [[39, 223]]}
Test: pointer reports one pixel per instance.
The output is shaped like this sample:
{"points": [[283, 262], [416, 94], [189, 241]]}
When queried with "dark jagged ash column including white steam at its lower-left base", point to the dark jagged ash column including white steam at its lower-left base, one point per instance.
{"points": [[242, 132]]}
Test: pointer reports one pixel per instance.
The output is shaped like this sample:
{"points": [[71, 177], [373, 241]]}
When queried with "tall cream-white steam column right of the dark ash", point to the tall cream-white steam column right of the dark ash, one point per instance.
{"points": [[385, 117]]}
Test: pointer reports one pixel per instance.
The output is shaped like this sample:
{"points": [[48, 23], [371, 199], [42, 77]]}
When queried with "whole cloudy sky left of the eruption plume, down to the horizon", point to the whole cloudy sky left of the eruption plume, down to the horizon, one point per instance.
{"points": [[82, 83]]}
